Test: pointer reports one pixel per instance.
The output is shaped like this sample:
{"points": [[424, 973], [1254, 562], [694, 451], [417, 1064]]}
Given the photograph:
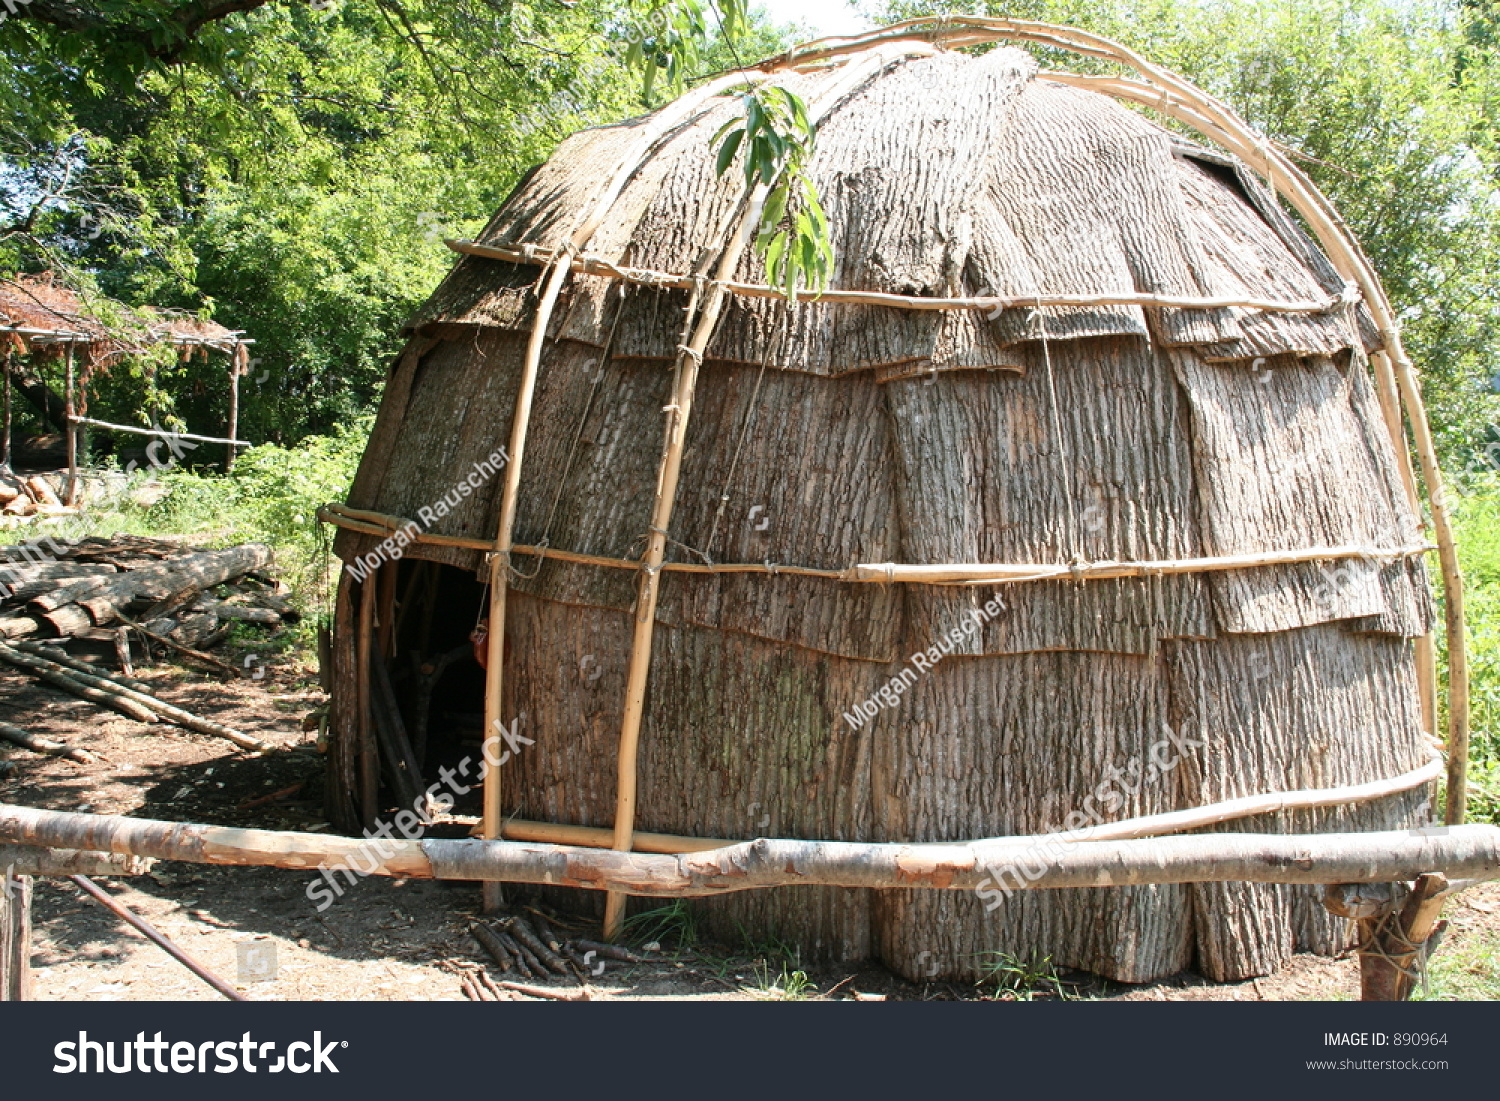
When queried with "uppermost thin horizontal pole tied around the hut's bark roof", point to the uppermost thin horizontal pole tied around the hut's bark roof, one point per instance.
{"points": [[598, 266]]}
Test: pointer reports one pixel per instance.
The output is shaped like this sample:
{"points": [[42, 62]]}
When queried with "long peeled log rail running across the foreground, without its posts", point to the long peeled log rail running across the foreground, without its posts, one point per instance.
{"points": [[1469, 853]]}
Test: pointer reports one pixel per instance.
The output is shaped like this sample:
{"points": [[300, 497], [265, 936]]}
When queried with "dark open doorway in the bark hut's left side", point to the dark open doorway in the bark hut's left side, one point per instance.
{"points": [[436, 676]]}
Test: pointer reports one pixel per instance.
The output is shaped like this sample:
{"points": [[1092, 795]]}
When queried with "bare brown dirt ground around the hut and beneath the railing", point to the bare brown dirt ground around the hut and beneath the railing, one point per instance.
{"points": [[391, 940]]}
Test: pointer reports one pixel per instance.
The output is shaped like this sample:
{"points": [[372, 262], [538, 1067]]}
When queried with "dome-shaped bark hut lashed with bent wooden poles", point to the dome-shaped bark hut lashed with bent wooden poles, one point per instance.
{"points": [[1079, 499]]}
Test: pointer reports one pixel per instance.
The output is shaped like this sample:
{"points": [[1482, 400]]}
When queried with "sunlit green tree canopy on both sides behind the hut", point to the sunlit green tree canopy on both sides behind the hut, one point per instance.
{"points": [[292, 166]]}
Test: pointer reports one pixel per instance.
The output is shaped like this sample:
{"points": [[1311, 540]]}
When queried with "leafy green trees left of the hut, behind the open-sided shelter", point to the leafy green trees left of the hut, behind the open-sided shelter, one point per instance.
{"points": [[292, 170]]}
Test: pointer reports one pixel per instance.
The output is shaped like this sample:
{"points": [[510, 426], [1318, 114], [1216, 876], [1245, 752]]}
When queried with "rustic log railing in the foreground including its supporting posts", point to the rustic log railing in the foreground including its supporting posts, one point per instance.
{"points": [[1399, 925]]}
